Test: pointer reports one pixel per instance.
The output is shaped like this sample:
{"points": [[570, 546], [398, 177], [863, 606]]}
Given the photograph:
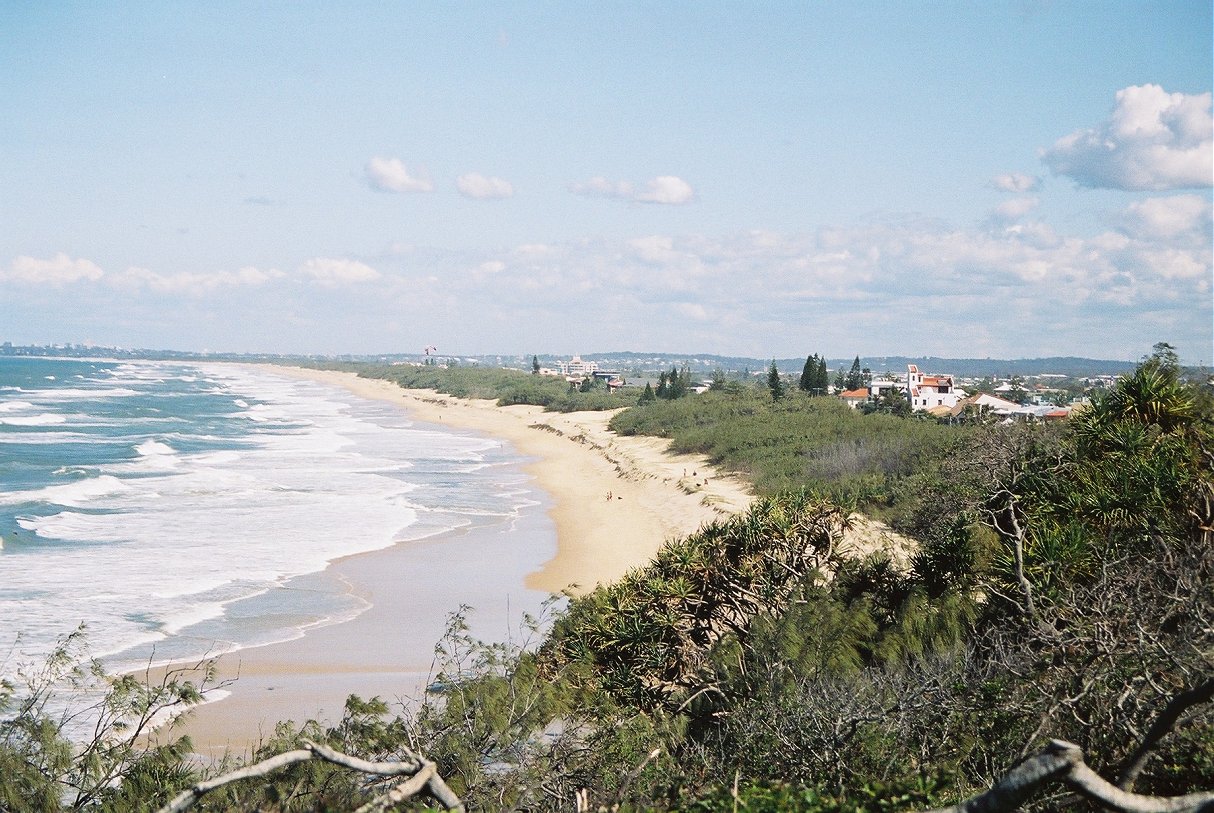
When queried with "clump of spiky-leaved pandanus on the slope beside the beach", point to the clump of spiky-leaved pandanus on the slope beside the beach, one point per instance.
{"points": [[650, 635]]}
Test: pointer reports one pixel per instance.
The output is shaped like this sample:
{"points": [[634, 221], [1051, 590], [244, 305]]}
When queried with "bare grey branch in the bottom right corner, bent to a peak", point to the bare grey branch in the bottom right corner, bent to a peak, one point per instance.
{"points": [[1063, 763]]}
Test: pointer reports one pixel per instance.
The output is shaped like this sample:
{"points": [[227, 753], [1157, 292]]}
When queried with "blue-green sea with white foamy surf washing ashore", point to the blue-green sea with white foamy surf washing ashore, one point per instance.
{"points": [[174, 509]]}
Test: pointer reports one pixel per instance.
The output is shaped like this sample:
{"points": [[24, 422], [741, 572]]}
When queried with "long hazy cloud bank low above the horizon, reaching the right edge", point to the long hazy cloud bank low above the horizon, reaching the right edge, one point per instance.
{"points": [[884, 285]]}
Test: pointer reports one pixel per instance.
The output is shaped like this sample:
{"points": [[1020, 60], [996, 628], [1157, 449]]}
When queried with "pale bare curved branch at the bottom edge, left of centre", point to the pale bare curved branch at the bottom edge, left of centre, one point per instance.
{"points": [[422, 776]]}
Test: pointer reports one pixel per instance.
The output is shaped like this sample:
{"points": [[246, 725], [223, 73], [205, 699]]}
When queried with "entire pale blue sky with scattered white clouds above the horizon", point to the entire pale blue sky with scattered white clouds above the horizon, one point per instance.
{"points": [[1007, 180]]}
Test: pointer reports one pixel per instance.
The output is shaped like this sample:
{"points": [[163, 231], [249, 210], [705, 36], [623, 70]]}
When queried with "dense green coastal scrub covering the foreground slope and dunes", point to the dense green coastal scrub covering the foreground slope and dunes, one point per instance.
{"points": [[1060, 588]]}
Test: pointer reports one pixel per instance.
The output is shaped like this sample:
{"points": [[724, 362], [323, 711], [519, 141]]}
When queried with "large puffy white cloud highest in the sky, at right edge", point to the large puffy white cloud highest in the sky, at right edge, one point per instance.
{"points": [[1153, 141]]}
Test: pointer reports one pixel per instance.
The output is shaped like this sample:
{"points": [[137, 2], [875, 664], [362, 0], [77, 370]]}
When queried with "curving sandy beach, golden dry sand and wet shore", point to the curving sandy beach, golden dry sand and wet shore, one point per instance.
{"points": [[574, 458]]}
